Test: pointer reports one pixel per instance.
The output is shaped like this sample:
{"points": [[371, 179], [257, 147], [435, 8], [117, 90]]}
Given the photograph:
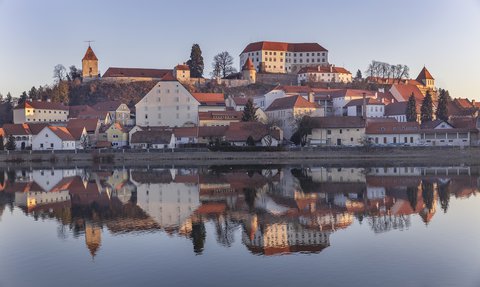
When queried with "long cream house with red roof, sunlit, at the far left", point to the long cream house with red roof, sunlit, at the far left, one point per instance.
{"points": [[39, 112]]}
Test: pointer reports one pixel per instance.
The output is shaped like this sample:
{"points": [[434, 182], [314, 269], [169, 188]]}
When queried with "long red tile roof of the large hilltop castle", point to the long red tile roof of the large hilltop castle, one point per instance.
{"points": [[280, 46]]}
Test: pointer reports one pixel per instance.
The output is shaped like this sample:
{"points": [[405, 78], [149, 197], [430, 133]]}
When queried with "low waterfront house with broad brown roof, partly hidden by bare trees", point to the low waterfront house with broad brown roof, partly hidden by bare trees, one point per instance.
{"points": [[237, 134]]}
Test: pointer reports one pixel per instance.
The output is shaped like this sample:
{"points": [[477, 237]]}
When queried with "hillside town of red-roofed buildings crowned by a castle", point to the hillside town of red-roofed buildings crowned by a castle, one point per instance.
{"points": [[309, 102]]}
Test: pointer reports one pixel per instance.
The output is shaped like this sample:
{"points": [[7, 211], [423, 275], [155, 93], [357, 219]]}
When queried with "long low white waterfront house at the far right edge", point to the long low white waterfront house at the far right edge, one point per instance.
{"points": [[440, 133]]}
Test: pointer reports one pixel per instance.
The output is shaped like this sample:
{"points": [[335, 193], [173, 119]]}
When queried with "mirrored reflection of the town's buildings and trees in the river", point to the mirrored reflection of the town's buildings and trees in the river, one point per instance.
{"points": [[279, 210]]}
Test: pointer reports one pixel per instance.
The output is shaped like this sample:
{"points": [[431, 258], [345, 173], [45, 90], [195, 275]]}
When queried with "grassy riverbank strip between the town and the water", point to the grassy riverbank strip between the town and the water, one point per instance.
{"points": [[325, 156]]}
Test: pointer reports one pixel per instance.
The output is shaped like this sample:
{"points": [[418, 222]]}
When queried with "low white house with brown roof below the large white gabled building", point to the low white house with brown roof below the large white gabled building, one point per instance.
{"points": [[153, 139]]}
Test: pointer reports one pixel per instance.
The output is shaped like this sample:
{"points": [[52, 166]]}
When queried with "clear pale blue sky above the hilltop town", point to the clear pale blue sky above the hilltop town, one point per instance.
{"points": [[443, 35]]}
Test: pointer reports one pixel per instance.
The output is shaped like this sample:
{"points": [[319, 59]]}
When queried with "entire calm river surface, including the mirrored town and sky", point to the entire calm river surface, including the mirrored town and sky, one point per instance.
{"points": [[275, 226]]}
